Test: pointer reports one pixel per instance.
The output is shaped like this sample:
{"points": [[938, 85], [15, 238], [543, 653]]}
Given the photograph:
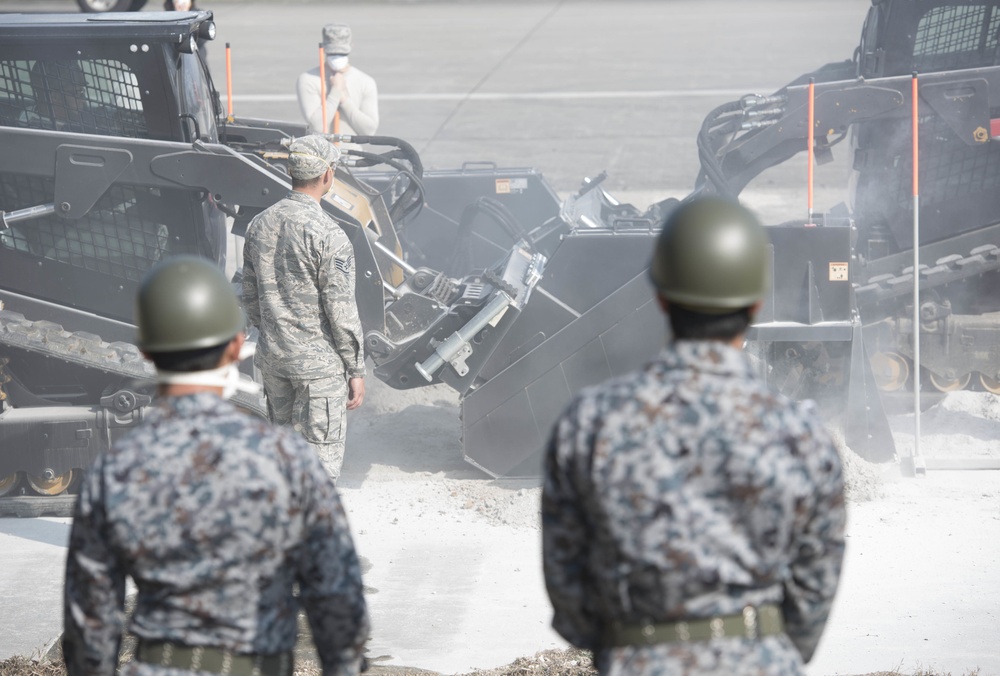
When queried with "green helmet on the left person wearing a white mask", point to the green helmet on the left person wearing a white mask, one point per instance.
{"points": [[186, 303]]}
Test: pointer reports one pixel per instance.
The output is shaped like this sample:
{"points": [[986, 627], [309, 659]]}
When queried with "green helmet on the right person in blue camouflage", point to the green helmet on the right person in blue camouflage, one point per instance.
{"points": [[712, 257]]}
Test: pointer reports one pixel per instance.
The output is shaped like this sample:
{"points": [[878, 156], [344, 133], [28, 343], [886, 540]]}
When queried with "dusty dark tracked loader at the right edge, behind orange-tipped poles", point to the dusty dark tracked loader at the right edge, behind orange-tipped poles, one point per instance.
{"points": [[839, 327]]}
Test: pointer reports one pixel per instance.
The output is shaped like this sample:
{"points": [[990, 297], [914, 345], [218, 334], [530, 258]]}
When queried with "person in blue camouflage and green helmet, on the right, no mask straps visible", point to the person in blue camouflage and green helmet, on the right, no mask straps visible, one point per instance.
{"points": [[693, 521]]}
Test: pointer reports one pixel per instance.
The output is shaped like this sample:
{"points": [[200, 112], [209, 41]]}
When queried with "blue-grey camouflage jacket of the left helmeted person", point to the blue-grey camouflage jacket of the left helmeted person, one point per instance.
{"points": [[215, 515]]}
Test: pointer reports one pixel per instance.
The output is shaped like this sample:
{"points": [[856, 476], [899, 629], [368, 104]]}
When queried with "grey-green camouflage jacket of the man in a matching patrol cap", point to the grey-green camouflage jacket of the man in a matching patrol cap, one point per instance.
{"points": [[298, 289]]}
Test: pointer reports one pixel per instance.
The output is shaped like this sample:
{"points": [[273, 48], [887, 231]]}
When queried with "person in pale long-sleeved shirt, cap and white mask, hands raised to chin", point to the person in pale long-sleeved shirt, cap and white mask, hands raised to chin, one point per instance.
{"points": [[348, 90]]}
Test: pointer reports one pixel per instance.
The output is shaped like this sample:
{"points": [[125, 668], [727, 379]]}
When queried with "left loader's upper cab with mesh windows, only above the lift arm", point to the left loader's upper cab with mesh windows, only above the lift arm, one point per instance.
{"points": [[141, 78]]}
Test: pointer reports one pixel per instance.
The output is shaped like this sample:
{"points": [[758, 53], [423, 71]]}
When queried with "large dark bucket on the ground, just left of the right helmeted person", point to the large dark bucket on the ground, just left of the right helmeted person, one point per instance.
{"points": [[591, 317]]}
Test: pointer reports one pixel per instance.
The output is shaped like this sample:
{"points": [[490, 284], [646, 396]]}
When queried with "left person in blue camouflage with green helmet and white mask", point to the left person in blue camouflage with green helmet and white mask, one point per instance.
{"points": [[215, 514]]}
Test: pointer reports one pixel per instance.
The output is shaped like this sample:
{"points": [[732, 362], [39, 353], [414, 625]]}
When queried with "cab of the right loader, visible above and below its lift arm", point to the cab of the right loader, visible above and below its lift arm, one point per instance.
{"points": [[959, 180]]}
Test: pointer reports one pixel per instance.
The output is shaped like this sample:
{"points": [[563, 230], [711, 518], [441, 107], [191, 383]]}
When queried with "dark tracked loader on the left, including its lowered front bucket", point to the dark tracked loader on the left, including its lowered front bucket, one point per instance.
{"points": [[117, 153]]}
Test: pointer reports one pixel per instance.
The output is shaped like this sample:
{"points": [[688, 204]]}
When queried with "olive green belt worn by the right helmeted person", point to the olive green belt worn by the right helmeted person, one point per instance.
{"points": [[752, 623]]}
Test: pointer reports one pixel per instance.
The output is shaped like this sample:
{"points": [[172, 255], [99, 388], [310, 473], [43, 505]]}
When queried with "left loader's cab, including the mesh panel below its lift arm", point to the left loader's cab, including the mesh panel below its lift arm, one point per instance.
{"points": [[77, 78]]}
